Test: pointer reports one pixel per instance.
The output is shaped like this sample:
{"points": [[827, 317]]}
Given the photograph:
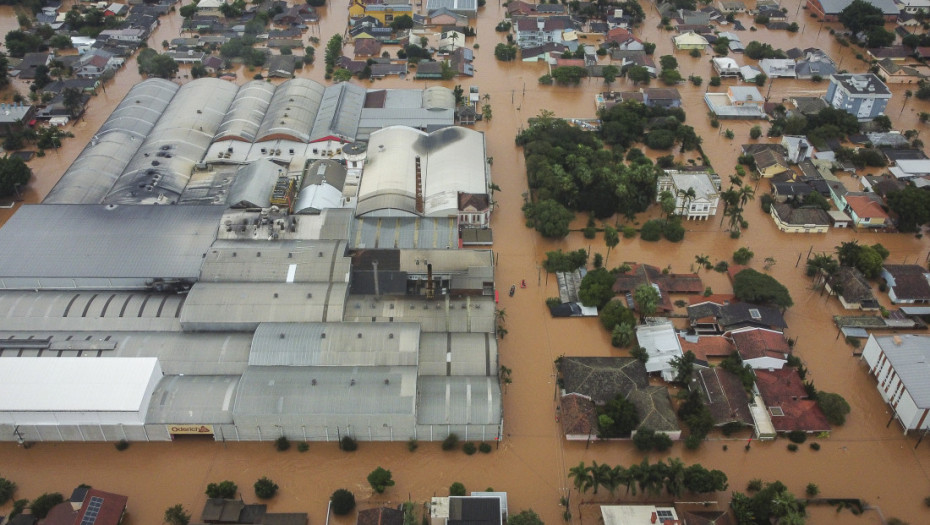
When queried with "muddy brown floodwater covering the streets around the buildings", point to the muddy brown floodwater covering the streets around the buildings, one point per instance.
{"points": [[867, 458]]}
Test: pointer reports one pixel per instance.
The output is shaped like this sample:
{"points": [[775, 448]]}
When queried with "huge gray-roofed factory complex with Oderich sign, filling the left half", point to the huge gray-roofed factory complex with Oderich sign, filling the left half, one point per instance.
{"points": [[254, 308]]}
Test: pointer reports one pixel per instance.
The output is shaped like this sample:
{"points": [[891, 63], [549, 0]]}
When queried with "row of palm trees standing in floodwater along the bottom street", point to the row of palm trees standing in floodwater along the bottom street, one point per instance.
{"points": [[674, 477]]}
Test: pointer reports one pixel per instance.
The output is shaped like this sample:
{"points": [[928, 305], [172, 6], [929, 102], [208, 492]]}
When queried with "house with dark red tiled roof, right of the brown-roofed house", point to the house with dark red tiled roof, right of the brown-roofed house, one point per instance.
{"points": [[782, 393]]}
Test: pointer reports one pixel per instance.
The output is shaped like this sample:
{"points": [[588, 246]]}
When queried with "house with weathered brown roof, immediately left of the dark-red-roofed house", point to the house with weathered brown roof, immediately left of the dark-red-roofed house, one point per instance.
{"points": [[724, 395]]}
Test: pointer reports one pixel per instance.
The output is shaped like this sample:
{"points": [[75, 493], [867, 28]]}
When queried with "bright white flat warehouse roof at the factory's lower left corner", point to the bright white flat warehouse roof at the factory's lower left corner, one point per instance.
{"points": [[76, 384]]}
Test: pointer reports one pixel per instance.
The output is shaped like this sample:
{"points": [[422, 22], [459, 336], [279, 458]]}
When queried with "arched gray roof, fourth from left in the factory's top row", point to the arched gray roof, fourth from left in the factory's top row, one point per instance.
{"points": [[292, 111]]}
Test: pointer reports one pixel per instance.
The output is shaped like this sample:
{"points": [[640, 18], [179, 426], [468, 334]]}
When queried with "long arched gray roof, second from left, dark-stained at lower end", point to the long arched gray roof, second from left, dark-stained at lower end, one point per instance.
{"points": [[162, 166]]}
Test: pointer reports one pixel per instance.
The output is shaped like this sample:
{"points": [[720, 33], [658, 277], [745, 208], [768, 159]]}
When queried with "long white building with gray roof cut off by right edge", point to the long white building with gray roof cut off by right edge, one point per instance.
{"points": [[900, 365]]}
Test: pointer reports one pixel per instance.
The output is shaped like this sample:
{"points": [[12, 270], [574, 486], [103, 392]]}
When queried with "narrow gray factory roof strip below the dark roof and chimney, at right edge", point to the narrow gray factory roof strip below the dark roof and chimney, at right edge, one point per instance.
{"points": [[469, 314]]}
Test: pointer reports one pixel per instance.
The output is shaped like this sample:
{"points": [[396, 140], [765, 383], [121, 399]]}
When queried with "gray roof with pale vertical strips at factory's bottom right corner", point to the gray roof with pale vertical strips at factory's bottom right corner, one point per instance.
{"points": [[459, 400]]}
